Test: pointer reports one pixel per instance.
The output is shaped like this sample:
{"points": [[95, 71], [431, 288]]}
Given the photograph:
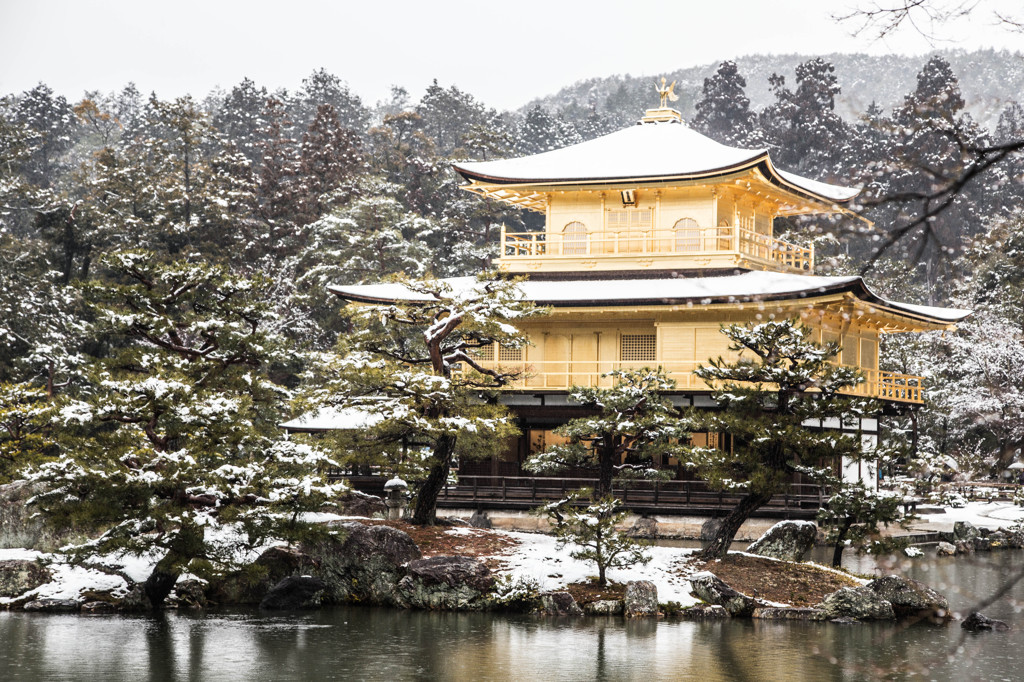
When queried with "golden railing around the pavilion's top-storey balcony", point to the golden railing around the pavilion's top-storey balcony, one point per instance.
{"points": [[696, 242]]}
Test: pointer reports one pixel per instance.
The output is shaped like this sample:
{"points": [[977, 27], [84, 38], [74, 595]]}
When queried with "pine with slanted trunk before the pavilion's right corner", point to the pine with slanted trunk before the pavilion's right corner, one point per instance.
{"points": [[781, 380]]}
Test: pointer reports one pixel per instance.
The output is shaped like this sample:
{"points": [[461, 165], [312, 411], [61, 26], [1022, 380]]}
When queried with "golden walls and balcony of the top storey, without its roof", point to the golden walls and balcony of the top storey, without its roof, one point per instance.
{"points": [[701, 227]]}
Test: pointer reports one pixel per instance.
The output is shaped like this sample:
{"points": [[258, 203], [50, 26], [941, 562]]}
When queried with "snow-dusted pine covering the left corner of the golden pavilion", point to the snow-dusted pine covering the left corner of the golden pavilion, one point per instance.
{"points": [[413, 366]]}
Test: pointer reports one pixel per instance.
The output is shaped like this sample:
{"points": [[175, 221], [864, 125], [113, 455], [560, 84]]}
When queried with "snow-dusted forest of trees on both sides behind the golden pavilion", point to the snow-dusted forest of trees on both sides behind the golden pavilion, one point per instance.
{"points": [[150, 246]]}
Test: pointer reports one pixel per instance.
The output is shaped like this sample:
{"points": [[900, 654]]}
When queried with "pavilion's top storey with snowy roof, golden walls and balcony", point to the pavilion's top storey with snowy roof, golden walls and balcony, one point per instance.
{"points": [[658, 196]]}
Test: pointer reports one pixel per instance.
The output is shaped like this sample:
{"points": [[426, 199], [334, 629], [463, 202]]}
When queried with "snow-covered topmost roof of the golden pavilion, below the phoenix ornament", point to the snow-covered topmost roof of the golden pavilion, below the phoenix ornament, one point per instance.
{"points": [[648, 151]]}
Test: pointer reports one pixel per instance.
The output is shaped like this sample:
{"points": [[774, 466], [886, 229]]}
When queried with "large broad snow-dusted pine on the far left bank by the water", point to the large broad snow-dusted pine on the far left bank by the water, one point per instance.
{"points": [[177, 437]]}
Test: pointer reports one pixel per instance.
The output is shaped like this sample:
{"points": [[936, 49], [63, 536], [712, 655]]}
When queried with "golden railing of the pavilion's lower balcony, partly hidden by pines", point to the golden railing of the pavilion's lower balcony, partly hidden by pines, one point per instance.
{"points": [[561, 375]]}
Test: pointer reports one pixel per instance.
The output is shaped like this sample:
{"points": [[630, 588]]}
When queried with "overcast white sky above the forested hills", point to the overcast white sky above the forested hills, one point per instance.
{"points": [[505, 54]]}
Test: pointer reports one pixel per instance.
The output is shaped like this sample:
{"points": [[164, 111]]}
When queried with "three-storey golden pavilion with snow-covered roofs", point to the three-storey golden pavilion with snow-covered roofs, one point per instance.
{"points": [[655, 238]]}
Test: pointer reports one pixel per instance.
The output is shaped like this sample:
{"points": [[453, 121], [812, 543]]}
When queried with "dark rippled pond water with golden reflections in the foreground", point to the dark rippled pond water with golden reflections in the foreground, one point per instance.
{"points": [[353, 644]]}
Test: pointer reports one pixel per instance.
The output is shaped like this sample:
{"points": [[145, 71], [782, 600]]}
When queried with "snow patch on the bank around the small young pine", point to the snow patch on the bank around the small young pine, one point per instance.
{"points": [[538, 558]]}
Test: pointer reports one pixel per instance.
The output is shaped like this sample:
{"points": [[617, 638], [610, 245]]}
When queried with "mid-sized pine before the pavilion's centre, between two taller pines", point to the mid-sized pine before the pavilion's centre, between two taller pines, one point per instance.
{"points": [[630, 425]]}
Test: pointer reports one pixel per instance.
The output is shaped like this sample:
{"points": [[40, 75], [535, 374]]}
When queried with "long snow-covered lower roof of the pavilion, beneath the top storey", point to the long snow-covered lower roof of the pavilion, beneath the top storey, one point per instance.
{"points": [[753, 286]]}
